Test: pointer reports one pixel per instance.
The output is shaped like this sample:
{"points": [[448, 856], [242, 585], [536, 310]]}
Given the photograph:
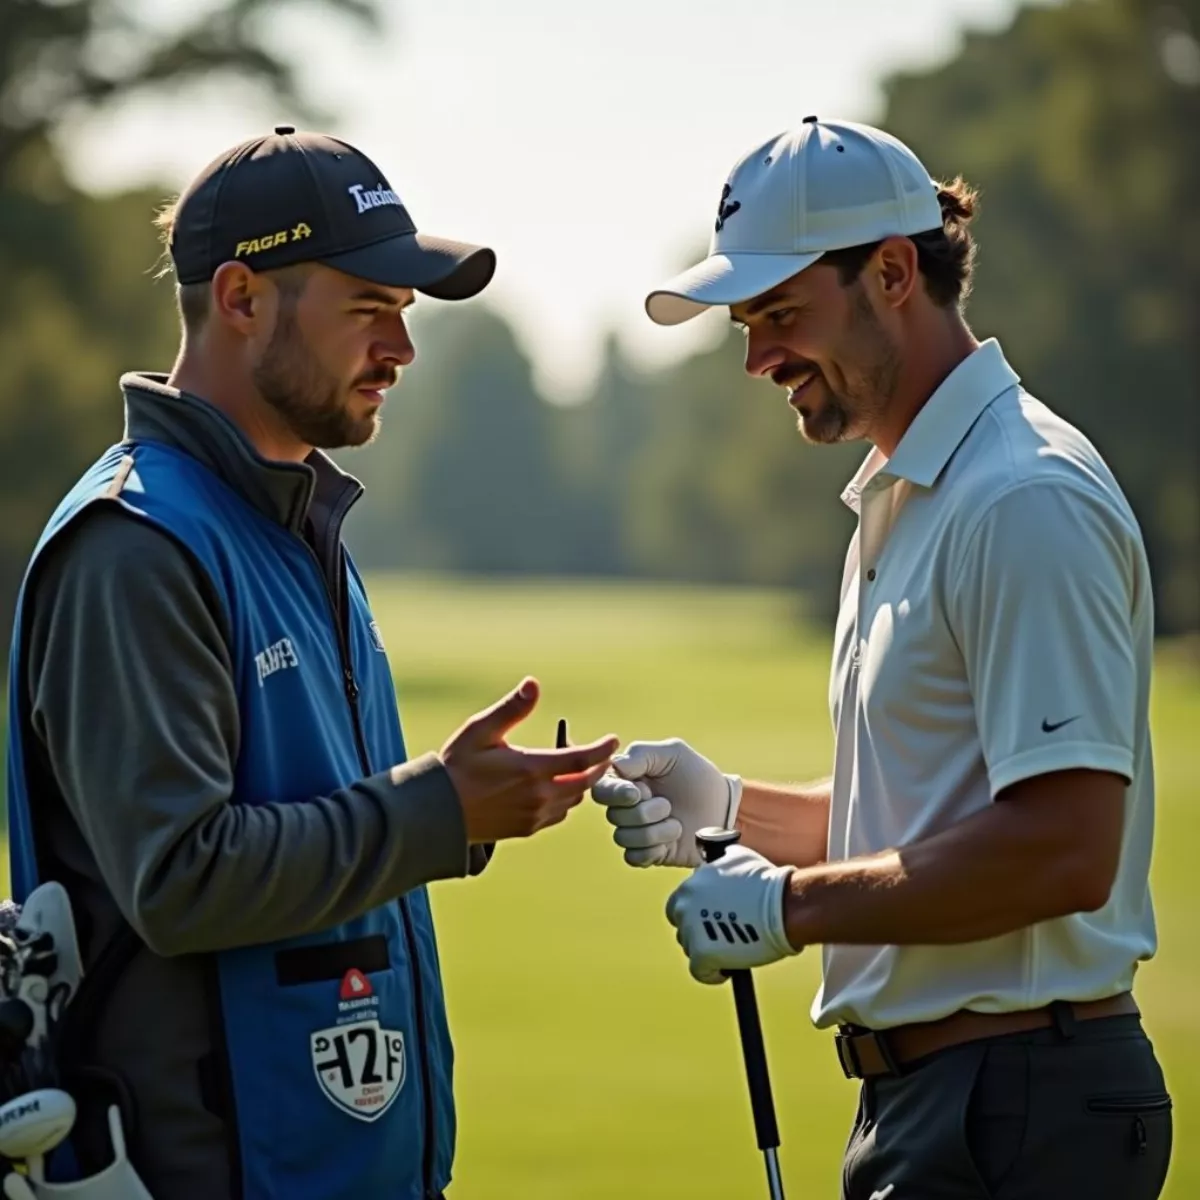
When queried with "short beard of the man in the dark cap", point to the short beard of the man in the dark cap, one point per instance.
{"points": [[307, 398]]}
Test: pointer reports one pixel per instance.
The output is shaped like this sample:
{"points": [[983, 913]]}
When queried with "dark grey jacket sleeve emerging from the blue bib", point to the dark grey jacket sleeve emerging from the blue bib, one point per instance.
{"points": [[134, 700]]}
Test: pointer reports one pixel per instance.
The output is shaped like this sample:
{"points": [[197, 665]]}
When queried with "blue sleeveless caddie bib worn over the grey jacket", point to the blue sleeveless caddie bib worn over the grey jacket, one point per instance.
{"points": [[338, 1054]]}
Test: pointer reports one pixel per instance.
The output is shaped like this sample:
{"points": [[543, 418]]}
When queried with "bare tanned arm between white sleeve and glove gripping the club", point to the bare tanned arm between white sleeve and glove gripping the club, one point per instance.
{"points": [[999, 871]]}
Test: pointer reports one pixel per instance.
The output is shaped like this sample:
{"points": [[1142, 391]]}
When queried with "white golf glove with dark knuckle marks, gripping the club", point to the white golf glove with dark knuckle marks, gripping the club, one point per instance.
{"points": [[729, 915]]}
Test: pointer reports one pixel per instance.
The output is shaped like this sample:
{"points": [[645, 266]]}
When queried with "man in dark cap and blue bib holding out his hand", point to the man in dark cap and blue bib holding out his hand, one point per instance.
{"points": [[205, 743]]}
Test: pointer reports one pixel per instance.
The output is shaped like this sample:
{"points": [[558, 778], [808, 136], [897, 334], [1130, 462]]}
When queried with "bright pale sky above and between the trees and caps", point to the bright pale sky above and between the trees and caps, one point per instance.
{"points": [[587, 145]]}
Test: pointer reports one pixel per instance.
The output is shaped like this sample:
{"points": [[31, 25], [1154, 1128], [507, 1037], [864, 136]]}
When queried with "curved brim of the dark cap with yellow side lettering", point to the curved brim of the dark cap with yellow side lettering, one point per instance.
{"points": [[437, 267]]}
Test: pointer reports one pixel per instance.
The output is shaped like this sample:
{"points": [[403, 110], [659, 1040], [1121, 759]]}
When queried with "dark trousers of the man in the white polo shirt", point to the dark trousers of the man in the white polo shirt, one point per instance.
{"points": [[1057, 1114]]}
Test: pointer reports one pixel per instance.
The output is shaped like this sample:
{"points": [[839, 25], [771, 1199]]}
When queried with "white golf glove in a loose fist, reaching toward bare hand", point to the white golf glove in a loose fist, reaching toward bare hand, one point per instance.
{"points": [[659, 795]]}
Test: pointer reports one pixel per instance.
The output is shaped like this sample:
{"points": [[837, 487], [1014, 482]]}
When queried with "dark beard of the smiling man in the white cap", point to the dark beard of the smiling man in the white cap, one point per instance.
{"points": [[848, 415]]}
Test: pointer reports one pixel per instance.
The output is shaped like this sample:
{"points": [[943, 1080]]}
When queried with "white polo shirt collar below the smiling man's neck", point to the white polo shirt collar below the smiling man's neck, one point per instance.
{"points": [[944, 422]]}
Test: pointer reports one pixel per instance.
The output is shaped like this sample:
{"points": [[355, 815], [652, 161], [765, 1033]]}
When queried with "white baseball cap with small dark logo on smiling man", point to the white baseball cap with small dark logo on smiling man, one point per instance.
{"points": [[824, 187]]}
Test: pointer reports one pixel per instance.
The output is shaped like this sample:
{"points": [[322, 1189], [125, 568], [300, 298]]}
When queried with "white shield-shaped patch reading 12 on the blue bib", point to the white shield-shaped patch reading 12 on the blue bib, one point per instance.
{"points": [[361, 1067]]}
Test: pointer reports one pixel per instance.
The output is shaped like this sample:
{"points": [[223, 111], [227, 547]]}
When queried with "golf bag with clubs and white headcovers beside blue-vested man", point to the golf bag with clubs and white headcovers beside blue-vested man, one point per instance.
{"points": [[41, 973]]}
